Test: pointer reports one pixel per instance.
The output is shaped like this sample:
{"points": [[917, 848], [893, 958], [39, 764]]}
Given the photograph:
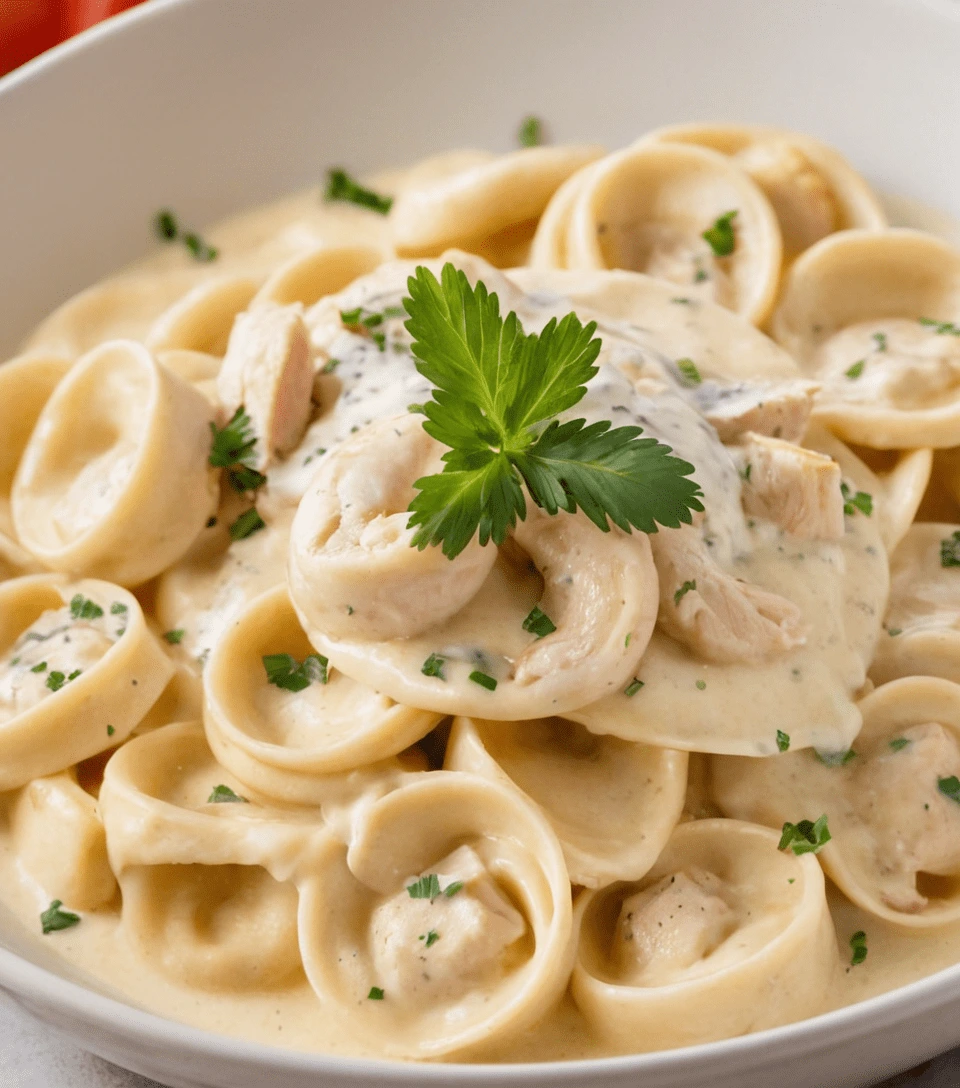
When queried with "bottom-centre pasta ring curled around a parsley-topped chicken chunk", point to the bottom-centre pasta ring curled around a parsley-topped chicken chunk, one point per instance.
{"points": [[447, 923]]}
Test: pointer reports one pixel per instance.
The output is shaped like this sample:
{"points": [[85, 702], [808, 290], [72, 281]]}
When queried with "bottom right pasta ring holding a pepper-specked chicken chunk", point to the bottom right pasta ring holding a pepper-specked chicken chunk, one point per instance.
{"points": [[725, 935]]}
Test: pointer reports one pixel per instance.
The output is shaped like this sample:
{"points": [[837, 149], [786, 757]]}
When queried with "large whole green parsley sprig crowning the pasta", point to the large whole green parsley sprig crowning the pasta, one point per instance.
{"points": [[497, 388]]}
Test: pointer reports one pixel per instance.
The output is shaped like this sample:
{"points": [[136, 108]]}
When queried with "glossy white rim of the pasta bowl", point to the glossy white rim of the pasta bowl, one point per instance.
{"points": [[28, 982]]}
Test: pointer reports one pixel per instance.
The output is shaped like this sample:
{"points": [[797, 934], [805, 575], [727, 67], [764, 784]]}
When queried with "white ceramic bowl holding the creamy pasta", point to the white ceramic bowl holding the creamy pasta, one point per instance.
{"points": [[214, 106]]}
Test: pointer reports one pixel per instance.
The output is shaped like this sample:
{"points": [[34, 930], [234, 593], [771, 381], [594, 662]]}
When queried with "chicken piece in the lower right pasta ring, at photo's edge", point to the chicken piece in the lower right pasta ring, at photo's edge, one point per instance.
{"points": [[916, 826]]}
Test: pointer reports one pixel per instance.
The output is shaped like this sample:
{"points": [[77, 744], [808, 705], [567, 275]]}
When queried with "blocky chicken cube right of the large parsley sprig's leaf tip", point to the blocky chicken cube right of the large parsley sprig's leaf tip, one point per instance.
{"points": [[797, 489]]}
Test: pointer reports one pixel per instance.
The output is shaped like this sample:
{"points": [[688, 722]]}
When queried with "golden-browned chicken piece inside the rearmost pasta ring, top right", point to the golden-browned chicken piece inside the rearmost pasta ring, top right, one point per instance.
{"points": [[798, 192]]}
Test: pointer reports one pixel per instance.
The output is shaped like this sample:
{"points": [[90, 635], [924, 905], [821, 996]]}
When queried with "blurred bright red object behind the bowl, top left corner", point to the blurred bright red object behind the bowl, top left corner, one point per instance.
{"points": [[28, 28]]}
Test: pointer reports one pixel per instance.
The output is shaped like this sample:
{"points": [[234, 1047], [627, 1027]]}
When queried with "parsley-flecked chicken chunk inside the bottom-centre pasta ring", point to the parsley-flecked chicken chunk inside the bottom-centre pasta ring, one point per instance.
{"points": [[447, 942]]}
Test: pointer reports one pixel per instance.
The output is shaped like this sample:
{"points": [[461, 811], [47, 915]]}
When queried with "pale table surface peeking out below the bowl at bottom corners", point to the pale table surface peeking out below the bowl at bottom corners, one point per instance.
{"points": [[33, 1057]]}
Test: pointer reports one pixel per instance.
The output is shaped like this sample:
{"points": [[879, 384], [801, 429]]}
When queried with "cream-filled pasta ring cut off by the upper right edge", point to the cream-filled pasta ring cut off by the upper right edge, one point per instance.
{"points": [[870, 316]]}
